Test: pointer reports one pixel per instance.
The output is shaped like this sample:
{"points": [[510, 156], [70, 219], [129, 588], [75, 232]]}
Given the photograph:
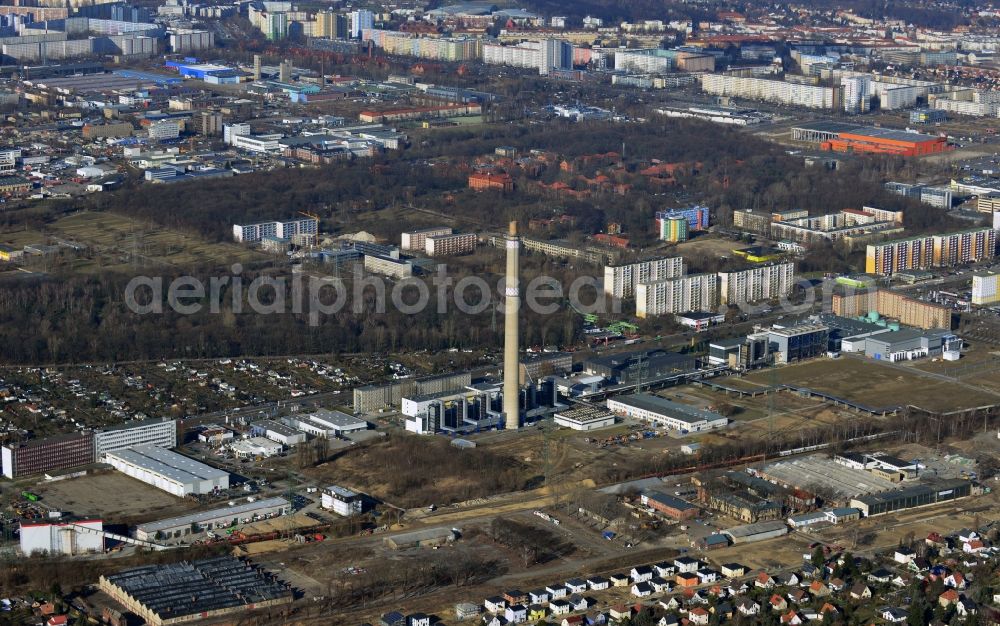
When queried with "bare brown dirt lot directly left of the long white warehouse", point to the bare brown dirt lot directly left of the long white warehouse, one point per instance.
{"points": [[111, 495]]}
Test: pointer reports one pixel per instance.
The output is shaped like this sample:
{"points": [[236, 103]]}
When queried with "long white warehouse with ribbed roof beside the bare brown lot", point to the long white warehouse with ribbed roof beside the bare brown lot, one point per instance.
{"points": [[169, 471]]}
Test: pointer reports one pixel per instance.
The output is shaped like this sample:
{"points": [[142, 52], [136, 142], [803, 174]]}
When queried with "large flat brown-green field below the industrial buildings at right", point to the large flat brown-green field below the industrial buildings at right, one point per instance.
{"points": [[876, 384]]}
